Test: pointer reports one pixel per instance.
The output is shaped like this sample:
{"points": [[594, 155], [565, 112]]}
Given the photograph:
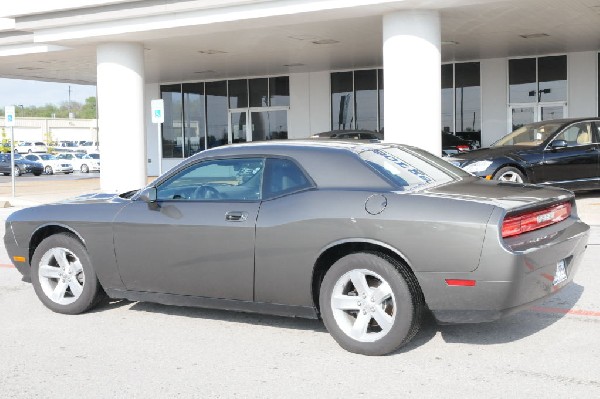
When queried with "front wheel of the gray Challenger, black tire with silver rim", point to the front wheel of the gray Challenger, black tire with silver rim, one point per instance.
{"points": [[84, 275]]}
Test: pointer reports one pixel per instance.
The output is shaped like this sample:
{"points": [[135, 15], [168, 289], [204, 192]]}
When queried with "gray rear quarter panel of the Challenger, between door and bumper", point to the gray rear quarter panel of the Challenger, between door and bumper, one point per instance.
{"points": [[289, 243]]}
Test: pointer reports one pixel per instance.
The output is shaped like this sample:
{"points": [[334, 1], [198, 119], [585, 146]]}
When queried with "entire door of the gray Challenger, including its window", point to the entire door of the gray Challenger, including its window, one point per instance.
{"points": [[198, 237]]}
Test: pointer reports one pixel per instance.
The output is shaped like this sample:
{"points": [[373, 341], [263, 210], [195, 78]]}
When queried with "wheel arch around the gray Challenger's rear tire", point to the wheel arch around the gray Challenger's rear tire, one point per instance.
{"points": [[338, 250]]}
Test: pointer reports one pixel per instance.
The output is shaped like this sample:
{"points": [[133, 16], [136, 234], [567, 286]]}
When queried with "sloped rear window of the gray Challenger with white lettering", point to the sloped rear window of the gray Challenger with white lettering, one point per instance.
{"points": [[410, 169]]}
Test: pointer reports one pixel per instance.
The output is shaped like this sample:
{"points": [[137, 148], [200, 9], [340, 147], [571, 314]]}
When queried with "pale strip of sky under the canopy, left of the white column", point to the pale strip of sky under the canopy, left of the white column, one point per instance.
{"points": [[31, 92]]}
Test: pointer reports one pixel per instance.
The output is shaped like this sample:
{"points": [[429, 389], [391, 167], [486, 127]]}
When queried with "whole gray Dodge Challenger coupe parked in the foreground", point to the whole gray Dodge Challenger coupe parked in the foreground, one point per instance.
{"points": [[366, 236]]}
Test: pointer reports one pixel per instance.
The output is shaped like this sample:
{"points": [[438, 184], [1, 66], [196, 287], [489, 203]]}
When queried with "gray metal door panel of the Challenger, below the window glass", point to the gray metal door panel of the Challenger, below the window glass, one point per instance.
{"points": [[187, 248]]}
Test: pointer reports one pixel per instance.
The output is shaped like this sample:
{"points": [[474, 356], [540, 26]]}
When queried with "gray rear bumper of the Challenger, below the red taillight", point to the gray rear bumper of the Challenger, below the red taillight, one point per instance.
{"points": [[511, 276]]}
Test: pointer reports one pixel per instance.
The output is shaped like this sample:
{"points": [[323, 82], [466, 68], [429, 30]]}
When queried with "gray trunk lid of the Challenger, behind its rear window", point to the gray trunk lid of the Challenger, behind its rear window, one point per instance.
{"points": [[509, 196]]}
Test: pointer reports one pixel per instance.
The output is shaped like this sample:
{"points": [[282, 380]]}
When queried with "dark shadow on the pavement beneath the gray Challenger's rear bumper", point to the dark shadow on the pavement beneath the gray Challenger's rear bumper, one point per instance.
{"points": [[517, 326]]}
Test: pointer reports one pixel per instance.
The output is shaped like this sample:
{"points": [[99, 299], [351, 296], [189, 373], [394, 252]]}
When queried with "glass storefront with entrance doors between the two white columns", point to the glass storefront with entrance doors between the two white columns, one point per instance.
{"points": [[197, 114]]}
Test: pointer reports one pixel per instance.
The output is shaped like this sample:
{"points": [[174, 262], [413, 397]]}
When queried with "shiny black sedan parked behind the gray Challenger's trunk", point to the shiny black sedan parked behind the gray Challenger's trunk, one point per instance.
{"points": [[562, 152]]}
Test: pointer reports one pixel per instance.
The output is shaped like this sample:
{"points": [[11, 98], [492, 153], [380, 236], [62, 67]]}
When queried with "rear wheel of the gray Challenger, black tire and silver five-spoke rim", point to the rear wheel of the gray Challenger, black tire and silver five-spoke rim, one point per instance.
{"points": [[405, 305]]}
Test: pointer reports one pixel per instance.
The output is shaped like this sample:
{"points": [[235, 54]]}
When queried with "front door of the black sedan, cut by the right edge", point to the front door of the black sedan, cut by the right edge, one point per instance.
{"points": [[576, 165]]}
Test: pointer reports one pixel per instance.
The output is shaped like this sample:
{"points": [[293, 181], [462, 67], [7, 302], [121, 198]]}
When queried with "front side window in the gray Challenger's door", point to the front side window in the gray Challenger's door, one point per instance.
{"points": [[236, 179]]}
